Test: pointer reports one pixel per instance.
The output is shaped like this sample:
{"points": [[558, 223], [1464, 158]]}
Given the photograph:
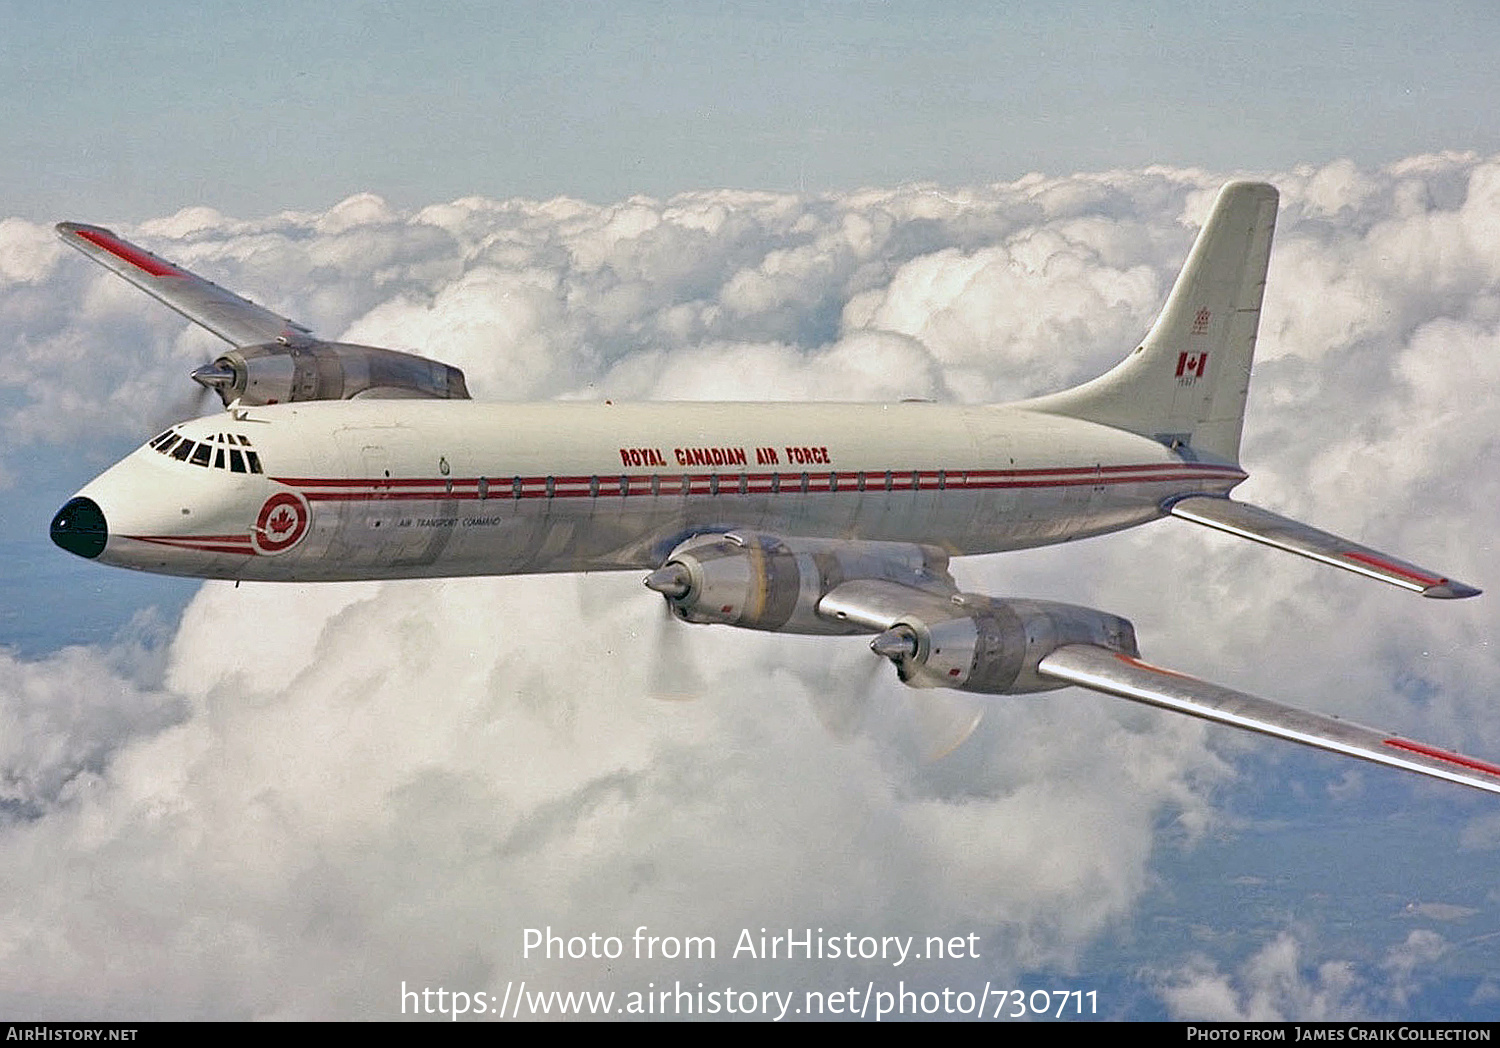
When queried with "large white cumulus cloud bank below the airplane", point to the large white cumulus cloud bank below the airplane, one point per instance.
{"points": [[421, 774]]}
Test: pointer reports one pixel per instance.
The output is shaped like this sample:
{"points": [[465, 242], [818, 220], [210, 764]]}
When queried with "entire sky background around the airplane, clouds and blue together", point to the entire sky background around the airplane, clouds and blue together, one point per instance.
{"points": [[295, 798]]}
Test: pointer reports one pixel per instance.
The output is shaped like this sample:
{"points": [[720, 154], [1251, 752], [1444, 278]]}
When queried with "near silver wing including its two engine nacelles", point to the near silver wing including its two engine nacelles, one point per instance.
{"points": [[941, 638]]}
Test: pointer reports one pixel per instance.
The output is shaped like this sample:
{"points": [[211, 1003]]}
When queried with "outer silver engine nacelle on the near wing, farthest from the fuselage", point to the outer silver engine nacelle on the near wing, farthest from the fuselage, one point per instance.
{"points": [[992, 647]]}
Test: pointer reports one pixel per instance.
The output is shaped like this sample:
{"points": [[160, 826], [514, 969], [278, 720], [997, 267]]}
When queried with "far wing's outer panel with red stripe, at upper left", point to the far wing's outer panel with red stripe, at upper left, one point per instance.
{"points": [[235, 320]]}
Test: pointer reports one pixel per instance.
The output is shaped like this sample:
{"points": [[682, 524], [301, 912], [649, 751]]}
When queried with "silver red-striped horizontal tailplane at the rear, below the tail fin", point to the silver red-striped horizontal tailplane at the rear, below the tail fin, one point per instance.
{"points": [[1274, 530]]}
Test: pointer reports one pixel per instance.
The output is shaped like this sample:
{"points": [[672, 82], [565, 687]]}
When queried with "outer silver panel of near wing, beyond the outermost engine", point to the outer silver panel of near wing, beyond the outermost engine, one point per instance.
{"points": [[1130, 678]]}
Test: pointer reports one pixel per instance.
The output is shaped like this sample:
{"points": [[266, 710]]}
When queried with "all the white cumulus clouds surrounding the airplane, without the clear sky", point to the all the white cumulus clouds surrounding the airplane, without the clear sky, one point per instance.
{"points": [[310, 795]]}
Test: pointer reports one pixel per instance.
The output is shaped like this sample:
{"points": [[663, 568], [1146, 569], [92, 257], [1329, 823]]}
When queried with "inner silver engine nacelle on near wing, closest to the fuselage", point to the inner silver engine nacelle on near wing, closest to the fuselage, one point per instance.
{"points": [[764, 582]]}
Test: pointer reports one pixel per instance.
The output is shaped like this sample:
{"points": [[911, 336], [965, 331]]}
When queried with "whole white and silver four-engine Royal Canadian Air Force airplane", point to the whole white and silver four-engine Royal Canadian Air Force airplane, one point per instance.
{"points": [[349, 463]]}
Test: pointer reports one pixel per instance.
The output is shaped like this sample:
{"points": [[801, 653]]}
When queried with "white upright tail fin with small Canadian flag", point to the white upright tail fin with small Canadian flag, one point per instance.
{"points": [[1186, 383]]}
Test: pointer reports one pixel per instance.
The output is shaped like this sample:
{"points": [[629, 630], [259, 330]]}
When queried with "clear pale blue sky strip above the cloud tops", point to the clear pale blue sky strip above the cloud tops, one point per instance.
{"points": [[139, 110]]}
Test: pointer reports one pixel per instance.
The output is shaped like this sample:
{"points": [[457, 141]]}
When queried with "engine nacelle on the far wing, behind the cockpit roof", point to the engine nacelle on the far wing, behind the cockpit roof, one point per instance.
{"points": [[281, 373]]}
